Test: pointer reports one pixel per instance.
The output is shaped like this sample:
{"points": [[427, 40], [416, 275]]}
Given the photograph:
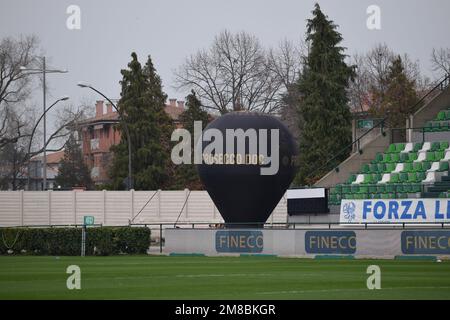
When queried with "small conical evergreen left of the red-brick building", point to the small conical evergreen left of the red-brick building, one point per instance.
{"points": [[73, 172]]}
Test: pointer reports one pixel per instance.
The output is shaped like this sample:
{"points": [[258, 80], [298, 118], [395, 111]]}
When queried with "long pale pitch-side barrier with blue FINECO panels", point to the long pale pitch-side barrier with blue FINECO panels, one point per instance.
{"points": [[361, 240]]}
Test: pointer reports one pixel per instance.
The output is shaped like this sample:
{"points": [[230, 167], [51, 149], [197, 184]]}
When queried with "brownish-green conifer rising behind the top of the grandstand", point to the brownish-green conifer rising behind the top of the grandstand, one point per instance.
{"points": [[399, 96]]}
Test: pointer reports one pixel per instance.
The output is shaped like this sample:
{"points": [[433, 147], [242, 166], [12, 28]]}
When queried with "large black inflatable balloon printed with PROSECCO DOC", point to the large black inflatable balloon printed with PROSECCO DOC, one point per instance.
{"points": [[242, 194]]}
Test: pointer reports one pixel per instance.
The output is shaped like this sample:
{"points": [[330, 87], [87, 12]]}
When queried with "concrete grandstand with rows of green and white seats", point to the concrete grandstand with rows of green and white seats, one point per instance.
{"points": [[413, 164]]}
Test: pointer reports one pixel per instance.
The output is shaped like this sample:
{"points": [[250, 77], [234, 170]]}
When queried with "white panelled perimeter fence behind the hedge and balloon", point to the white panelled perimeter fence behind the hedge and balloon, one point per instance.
{"points": [[112, 208]]}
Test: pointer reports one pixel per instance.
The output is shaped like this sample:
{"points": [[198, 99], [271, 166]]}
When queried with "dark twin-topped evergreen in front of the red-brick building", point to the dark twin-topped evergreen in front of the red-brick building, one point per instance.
{"points": [[142, 107]]}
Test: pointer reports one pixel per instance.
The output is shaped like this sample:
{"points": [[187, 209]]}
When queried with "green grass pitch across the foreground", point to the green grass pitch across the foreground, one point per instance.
{"points": [[168, 277]]}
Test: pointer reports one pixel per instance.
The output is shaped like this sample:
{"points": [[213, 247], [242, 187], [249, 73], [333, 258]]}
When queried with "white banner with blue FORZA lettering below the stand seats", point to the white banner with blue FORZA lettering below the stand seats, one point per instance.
{"points": [[395, 211]]}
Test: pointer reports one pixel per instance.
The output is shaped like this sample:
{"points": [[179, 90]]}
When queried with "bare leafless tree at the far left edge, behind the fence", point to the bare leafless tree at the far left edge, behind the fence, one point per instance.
{"points": [[18, 121]]}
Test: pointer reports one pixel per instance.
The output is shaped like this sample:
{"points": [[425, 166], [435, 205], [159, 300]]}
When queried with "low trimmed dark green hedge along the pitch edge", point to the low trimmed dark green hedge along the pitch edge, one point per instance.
{"points": [[67, 241]]}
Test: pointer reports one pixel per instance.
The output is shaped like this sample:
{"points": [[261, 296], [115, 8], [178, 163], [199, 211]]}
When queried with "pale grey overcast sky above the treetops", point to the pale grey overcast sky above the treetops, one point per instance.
{"points": [[170, 30]]}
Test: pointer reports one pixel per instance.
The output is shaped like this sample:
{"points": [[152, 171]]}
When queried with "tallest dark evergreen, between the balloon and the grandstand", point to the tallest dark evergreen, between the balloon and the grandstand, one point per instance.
{"points": [[323, 106]]}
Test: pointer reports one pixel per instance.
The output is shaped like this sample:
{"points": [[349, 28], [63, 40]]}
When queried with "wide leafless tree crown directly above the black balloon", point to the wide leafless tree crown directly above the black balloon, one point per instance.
{"points": [[236, 73]]}
